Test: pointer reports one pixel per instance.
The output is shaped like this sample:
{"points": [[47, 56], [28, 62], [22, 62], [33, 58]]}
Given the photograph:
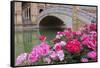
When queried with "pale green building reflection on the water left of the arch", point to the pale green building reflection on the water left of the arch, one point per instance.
{"points": [[25, 40]]}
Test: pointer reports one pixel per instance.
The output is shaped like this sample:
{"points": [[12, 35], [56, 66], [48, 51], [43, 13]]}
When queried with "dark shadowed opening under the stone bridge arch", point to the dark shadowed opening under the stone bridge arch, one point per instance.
{"points": [[51, 22]]}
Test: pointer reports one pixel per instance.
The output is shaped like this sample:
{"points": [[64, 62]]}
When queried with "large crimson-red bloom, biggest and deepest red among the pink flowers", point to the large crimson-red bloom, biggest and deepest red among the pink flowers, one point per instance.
{"points": [[73, 46]]}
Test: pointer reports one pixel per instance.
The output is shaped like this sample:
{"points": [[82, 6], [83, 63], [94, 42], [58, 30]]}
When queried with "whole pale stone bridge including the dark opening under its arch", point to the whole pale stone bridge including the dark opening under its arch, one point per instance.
{"points": [[63, 16]]}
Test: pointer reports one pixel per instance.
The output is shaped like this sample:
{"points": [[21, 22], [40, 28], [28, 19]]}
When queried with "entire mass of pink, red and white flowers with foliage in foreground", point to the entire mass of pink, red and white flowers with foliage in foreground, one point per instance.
{"points": [[68, 47]]}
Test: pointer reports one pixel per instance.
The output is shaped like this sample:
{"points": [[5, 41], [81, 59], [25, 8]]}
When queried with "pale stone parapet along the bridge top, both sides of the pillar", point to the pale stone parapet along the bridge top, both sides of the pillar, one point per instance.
{"points": [[67, 10]]}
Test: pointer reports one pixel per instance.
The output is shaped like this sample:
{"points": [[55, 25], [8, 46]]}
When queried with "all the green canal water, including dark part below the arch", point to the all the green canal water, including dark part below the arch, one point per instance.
{"points": [[26, 39]]}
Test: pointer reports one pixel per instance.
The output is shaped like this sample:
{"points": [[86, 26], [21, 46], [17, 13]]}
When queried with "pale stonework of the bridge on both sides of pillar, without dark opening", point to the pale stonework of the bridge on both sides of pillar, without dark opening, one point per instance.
{"points": [[65, 15]]}
